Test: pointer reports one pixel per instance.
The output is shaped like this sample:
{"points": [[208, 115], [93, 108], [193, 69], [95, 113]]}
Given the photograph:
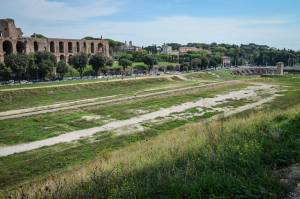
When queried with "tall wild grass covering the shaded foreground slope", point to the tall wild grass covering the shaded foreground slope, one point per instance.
{"points": [[230, 159]]}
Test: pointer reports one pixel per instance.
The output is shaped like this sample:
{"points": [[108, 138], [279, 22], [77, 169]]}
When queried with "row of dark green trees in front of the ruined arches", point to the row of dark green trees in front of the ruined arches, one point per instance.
{"points": [[43, 65]]}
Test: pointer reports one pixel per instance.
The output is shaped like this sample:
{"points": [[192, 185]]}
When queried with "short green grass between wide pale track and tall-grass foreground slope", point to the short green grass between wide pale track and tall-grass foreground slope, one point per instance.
{"points": [[35, 164]]}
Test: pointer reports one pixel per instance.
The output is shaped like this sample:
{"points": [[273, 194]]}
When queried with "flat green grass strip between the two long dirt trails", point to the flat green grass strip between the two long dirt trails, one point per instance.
{"points": [[27, 129]]}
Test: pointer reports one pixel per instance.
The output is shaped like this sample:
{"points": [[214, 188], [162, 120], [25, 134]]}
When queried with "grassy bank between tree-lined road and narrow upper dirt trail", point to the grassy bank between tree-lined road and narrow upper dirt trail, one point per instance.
{"points": [[17, 99]]}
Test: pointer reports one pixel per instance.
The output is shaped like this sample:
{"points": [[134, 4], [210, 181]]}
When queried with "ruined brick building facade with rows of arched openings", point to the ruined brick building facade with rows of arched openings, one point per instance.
{"points": [[12, 41]]}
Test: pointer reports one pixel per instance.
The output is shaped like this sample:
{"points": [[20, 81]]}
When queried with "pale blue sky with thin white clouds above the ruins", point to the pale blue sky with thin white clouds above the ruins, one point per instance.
{"points": [[145, 22]]}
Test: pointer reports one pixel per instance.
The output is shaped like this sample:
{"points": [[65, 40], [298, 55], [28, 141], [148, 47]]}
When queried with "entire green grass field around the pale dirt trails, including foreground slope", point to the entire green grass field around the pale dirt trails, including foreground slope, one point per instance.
{"points": [[175, 157]]}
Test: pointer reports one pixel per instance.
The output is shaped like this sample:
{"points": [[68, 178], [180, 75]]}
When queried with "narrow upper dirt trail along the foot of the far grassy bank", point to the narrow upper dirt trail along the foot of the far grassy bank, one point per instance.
{"points": [[96, 101]]}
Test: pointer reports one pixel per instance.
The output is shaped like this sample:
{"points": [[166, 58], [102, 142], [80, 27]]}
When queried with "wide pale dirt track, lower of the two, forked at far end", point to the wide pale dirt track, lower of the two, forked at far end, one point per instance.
{"points": [[206, 102]]}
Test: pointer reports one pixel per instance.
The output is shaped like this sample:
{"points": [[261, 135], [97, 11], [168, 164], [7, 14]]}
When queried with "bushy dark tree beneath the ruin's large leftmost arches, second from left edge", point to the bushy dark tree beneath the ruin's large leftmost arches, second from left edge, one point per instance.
{"points": [[18, 63]]}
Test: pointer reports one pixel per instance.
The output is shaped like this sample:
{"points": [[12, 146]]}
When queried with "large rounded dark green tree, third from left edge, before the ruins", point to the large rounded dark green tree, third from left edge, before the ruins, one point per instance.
{"points": [[45, 62]]}
